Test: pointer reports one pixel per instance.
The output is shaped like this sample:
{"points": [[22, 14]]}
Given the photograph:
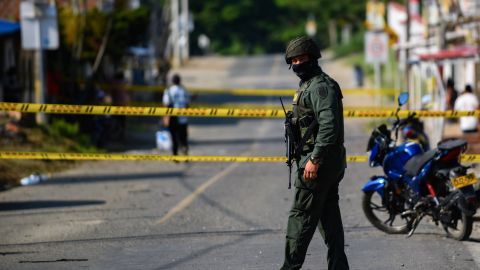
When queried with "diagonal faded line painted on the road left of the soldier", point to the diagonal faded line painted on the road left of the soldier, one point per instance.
{"points": [[190, 198]]}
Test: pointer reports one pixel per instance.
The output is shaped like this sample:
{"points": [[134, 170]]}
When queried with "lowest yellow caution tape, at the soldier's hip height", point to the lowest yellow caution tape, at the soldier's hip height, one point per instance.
{"points": [[153, 157]]}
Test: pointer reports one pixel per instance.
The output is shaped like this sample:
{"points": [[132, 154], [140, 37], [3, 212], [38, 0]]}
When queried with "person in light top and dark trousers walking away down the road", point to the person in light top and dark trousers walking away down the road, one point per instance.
{"points": [[176, 96]]}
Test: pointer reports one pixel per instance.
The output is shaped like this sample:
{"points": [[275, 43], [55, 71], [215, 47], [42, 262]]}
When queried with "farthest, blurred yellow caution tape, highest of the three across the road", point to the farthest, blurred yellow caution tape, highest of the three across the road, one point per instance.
{"points": [[260, 91]]}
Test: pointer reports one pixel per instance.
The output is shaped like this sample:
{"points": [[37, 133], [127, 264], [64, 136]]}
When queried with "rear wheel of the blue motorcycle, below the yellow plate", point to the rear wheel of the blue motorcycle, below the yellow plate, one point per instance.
{"points": [[460, 227]]}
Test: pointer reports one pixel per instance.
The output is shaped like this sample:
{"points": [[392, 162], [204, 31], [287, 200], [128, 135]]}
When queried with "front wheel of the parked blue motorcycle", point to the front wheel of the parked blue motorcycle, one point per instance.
{"points": [[387, 219]]}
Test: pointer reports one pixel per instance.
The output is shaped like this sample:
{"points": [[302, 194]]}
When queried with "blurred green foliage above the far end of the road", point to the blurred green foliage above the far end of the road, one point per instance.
{"points": [[248, 26]]}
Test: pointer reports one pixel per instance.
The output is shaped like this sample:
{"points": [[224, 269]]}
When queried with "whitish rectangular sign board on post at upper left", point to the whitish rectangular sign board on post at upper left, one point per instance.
{"points": [[39, 26]]}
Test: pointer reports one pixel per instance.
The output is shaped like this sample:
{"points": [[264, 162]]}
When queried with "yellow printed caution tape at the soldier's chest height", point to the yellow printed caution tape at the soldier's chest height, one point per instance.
{"points": [[209, 112]]}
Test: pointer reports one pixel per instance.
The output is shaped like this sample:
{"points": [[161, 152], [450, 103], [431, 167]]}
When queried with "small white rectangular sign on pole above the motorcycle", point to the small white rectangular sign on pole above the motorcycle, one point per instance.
{"points": [[376, 47]]}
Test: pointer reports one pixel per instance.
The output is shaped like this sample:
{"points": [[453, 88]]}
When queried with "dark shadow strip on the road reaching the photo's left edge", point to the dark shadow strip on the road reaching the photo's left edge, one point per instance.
{"points": [[27, 205]]}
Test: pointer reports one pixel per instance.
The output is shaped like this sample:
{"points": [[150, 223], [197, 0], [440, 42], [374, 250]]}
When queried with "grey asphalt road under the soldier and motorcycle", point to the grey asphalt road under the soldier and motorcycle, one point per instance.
{"points": [[164, 215]]}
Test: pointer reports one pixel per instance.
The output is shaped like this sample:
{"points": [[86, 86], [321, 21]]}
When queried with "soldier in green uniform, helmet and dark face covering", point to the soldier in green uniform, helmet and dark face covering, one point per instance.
{"points": [[322, 162]]}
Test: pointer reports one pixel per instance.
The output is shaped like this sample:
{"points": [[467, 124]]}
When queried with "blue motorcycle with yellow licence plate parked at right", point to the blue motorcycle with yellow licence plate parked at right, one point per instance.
{"points": [[418, 182]]}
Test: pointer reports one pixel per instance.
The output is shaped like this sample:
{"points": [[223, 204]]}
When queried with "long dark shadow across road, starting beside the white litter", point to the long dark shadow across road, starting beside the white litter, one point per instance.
{"points": [[82, 179]]}
